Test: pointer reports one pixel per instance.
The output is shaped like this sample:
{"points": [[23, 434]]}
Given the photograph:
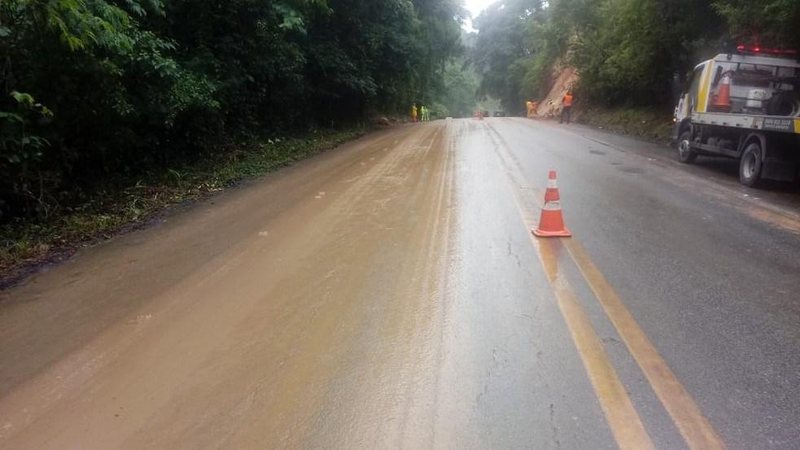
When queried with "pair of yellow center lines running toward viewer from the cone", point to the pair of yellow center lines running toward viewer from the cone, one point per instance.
{"points": [[624, 421]]}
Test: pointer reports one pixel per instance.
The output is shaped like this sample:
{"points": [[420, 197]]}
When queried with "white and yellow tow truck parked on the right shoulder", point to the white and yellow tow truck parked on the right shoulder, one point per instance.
{"points": [[744, 105]]}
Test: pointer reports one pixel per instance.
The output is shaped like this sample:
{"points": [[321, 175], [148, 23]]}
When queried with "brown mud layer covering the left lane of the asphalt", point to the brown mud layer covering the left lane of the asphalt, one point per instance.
{"points": [[230, 324]]}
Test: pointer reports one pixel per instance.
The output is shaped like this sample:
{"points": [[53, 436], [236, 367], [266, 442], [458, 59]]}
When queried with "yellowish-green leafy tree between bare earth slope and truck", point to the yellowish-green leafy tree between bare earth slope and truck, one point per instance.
{"points": [[636, 47]]}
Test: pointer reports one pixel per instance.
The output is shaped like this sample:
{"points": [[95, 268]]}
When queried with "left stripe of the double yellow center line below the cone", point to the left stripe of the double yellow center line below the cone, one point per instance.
{"points": [[622, 418]]}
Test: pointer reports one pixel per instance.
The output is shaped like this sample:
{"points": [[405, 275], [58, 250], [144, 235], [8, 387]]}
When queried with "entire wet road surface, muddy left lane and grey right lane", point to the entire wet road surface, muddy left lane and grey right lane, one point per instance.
{"points": [[389, 294]]}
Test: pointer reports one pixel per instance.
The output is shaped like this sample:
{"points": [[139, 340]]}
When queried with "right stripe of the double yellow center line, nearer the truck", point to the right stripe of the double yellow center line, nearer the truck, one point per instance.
{"points": [[695, 428]]}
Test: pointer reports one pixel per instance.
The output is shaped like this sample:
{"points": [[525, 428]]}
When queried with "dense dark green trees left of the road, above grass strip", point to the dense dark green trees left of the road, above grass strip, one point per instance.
{"points": [[93, 91]]}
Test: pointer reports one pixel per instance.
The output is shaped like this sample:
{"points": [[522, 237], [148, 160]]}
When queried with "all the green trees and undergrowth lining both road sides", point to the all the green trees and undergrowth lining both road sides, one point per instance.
{"points": [[111, 110]]}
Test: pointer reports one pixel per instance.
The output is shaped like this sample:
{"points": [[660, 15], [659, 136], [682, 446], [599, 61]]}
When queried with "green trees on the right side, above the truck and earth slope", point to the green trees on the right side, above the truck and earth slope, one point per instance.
{"points": [[626, 51]]}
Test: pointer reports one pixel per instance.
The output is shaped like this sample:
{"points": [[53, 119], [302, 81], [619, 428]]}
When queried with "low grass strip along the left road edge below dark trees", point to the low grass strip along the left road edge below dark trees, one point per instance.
{"points": [[115, 208]]}
